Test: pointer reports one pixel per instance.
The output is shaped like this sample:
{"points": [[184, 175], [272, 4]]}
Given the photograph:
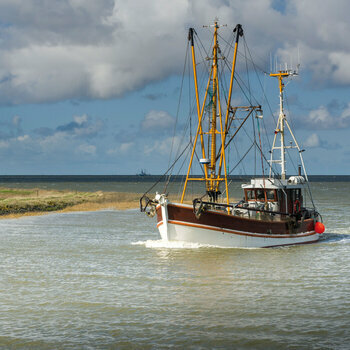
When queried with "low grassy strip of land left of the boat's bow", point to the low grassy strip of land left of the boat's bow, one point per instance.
{"points": [[19, 202]]}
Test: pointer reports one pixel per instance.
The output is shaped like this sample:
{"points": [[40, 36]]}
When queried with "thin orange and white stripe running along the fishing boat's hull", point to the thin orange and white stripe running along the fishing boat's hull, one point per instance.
{"points": [[242, 233]]}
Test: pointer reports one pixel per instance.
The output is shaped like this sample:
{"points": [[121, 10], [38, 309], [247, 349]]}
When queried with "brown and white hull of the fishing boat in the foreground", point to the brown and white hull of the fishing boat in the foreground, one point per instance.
{"points": [[177, 222]]}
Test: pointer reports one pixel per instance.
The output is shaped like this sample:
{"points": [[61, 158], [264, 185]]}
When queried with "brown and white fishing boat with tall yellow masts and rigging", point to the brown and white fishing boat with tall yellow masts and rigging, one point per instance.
{"points": [[273, 211]]}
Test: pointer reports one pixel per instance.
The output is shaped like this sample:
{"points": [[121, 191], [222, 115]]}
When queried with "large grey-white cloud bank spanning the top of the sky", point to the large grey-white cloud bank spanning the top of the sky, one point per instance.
{"points": [[76, 49]]}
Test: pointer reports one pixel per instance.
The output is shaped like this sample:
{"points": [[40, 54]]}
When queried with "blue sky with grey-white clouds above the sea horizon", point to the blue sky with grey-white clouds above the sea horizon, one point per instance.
{"points": [[92, 87]]}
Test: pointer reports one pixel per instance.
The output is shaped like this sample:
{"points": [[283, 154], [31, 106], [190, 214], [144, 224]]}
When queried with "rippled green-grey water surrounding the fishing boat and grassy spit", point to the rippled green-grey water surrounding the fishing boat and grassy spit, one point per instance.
{"points": [[104, 280]]}
